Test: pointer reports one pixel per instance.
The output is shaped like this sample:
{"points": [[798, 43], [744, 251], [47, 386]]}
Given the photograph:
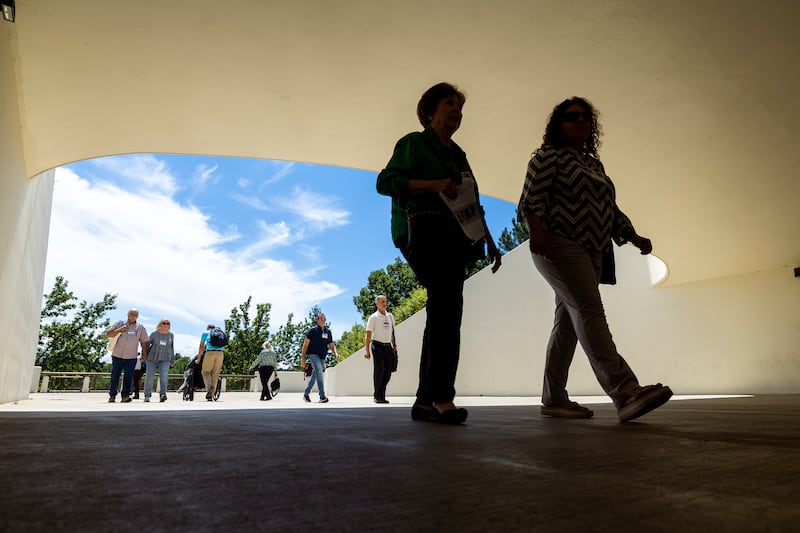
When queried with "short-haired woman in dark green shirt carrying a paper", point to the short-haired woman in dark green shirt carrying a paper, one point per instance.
{"points": [[438, 225]]}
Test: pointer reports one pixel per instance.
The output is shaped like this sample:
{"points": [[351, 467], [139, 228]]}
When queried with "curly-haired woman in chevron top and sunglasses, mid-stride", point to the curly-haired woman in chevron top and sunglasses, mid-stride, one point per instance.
{"points": [[569, 206]]}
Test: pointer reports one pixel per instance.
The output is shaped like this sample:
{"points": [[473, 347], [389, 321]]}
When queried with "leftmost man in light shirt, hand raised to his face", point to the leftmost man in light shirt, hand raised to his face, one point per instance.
{"points": [[130, 335]]}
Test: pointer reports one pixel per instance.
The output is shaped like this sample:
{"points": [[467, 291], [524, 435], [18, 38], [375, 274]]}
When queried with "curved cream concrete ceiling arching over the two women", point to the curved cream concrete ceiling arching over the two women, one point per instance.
{"points": [[697, 97]]}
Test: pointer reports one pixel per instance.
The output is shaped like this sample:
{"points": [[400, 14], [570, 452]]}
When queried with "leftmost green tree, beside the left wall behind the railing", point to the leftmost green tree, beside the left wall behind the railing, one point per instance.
{"points": [[72, 335]]}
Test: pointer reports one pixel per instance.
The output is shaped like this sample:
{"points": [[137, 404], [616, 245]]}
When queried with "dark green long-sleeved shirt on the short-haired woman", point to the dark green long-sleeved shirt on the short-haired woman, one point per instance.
{"points": [[418, 155]]}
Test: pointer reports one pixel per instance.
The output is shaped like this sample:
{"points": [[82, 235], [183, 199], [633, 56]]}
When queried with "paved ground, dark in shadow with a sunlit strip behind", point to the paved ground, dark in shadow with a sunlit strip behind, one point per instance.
{"points": [[73, 462]]}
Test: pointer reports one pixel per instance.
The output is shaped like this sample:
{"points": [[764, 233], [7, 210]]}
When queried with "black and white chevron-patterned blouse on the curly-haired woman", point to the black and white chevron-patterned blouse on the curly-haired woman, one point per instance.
{"points": [[572, 195]]}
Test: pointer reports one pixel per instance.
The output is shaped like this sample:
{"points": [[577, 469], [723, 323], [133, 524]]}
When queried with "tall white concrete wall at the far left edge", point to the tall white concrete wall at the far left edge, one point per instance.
{"points": [[24, 227]]}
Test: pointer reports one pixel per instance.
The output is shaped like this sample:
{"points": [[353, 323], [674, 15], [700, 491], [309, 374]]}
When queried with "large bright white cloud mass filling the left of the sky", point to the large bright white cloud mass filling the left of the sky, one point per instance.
{"points": [[165, 258]]}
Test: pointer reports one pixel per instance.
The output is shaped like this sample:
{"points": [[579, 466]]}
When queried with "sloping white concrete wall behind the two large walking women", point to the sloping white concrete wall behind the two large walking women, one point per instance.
{"points": [[733, 335]]}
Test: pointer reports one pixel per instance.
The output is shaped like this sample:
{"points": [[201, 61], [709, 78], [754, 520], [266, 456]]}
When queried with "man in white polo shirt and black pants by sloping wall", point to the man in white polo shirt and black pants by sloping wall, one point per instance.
{"points": [[380, 341]]}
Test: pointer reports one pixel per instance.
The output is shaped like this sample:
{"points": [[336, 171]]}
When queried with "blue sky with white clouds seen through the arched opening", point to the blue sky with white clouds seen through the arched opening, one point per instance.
{"points": [[190, 237]]}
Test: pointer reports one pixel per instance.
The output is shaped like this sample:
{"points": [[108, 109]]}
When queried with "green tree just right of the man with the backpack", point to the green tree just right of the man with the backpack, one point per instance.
{"points": [[245, 336]]}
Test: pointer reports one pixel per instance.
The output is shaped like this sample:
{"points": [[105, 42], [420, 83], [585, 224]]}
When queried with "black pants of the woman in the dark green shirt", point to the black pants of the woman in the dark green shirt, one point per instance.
{"points": [[437, 253]]}
